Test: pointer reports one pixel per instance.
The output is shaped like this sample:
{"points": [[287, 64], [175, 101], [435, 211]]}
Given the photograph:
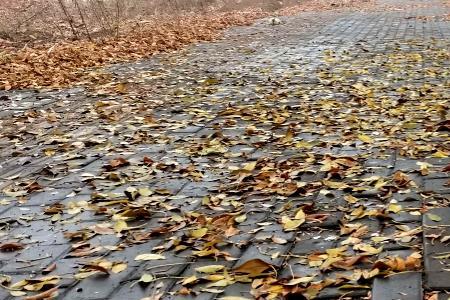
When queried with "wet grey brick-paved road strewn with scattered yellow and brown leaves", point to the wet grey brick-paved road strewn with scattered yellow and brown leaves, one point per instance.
{"points": [[318, 147]]}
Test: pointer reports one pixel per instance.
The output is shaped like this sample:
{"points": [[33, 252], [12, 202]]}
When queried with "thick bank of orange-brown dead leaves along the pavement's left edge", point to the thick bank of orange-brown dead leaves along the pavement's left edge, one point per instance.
{"points": [[64, 63]]}
